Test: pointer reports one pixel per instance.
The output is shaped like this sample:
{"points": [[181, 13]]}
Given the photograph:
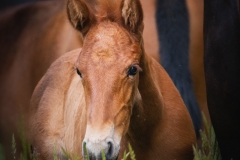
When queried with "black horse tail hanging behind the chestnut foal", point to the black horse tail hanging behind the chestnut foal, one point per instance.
{"points": [[174, 36]]}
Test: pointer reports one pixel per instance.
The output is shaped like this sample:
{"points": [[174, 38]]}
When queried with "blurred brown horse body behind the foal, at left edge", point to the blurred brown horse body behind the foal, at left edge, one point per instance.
{"points": [[32, 37]]}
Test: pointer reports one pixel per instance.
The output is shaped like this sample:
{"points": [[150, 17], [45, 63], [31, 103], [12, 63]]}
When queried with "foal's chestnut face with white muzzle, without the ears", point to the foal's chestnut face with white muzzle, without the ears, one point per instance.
{"points": [[108, 66]]}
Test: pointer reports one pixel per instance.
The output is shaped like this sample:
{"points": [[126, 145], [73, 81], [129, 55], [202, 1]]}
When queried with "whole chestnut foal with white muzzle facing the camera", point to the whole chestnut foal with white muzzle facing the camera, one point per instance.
{"points": [[109, 93]]}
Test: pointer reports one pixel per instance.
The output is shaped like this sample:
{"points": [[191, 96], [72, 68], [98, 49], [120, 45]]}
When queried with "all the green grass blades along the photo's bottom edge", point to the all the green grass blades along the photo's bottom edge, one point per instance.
{"points": [[207, 151]]}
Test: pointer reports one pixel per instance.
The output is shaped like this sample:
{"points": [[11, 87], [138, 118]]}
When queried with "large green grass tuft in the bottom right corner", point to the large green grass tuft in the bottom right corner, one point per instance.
{"points": [[209, 149]]}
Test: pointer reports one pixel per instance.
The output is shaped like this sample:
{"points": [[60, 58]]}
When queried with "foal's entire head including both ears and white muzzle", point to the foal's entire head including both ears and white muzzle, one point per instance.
{"points": [[108, 67]]}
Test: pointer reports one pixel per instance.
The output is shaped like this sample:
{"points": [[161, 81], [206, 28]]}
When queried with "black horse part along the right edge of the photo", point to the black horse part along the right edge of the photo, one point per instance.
{"points": [[222, 69]]}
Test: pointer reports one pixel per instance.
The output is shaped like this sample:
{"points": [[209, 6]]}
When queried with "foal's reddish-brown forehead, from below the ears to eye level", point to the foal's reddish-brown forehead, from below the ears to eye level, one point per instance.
{"points": [[108, 45]]}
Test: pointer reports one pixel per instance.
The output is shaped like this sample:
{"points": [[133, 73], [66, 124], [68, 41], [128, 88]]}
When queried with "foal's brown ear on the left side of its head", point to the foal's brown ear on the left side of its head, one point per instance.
{"points": [[80, 16]]}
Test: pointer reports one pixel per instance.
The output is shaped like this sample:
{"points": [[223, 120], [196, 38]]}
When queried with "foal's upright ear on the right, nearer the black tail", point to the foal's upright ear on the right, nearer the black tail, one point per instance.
{"points": [[132, 15]]}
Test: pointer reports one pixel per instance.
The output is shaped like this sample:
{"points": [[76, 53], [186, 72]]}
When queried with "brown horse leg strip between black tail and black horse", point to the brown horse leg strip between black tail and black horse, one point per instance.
{"points": [[195, 10]]}
